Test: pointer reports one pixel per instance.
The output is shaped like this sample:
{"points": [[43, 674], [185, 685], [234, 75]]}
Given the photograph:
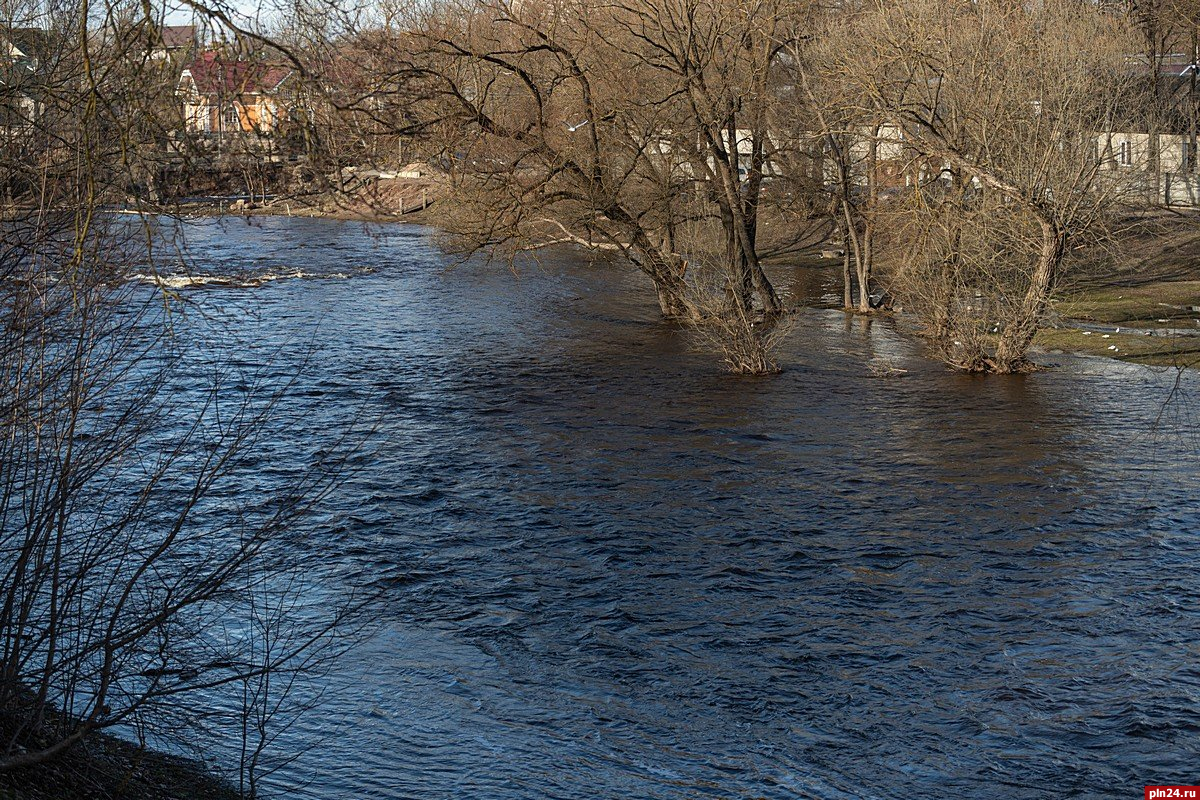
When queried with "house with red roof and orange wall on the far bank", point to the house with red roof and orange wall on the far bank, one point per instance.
{"points": [[229, 95]]}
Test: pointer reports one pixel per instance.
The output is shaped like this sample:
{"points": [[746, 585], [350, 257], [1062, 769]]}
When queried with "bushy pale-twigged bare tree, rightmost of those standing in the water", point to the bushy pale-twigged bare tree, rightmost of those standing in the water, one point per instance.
{"points": [[1005, 175]]}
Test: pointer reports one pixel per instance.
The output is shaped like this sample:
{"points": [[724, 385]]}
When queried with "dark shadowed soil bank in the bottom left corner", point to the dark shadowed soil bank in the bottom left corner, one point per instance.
{"points": [[107, 768]]}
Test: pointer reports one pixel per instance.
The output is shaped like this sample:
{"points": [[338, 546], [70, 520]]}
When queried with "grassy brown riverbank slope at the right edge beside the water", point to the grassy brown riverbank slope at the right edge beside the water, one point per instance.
{"points": [[1138, 302]]}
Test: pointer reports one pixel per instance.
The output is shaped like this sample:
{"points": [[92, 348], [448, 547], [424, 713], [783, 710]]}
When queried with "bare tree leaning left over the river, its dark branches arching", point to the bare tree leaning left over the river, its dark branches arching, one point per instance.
{"points": [[536, 121]]}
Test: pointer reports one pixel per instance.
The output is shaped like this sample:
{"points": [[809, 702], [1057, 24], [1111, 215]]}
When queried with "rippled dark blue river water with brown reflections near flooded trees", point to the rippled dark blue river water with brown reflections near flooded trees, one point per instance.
{"points": [[611, 572]]}
